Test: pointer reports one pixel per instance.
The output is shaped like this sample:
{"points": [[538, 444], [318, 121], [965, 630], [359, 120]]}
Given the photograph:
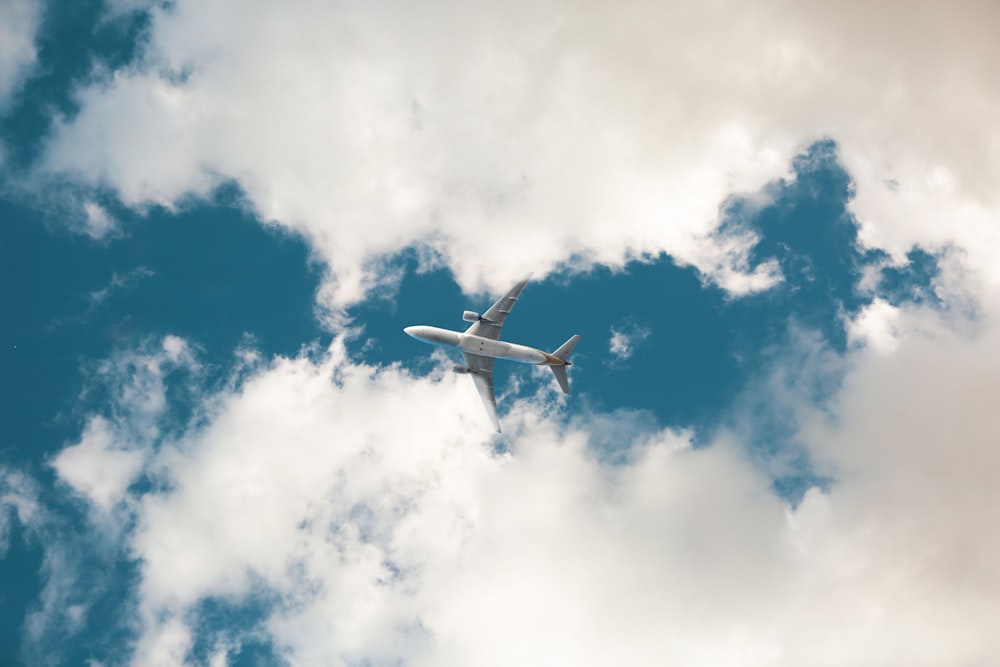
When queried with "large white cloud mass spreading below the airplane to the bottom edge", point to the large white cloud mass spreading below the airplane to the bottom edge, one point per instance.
{"points": [[363, 513]]}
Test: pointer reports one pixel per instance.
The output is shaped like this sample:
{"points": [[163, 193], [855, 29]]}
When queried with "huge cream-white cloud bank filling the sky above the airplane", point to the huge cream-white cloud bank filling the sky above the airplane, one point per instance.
{"points": [[586, 134]]}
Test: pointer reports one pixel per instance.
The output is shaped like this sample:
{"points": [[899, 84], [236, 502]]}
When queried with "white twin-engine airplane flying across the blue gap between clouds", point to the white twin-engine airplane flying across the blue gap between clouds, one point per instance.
{"points": [[481, 344]]}
